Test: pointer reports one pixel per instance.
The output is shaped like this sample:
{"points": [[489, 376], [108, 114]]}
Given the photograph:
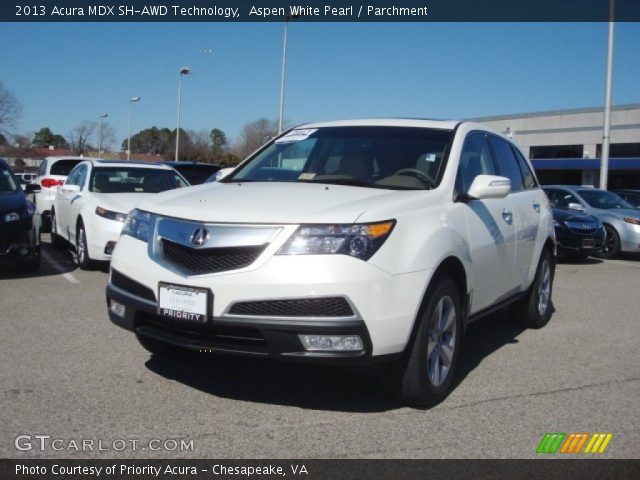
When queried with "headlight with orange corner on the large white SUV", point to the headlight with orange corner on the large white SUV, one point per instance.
{"points": [[358, 240]]}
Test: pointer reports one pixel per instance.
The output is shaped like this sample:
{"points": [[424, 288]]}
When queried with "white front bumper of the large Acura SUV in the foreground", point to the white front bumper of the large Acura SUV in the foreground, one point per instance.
{"points": [[384, 306]]}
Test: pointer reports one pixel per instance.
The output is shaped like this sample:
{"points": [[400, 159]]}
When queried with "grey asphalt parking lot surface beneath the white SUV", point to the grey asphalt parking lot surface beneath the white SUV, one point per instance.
{"points": [[67, 372]]}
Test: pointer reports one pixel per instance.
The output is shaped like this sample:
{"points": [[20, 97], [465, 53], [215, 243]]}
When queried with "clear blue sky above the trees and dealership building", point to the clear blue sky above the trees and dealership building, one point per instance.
{"points": [[64, 73]]}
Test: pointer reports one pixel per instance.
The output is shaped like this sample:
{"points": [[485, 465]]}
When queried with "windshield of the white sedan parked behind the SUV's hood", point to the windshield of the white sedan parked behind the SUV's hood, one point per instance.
{"points": [[134, 180]]}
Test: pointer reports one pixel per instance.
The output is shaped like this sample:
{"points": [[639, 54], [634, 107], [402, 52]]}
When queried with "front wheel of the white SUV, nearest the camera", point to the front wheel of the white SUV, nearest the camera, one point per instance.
{"points": [[424, 379]]}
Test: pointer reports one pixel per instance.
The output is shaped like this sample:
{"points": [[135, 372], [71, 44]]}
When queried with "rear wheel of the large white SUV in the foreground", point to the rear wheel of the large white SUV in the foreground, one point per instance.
{"points": [[534, 310]]}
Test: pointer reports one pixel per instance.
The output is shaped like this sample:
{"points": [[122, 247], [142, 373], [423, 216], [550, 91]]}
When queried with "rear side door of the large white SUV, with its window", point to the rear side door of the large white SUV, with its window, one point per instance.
{"points": [[526, 201]]}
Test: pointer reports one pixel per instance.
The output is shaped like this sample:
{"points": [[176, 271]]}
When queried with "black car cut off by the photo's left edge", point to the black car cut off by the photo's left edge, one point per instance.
{"points": [[19, 239]]}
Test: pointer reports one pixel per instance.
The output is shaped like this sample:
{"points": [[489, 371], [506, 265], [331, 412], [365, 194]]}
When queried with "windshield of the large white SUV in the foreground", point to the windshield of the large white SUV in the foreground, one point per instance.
{"points": [[406, 158]]}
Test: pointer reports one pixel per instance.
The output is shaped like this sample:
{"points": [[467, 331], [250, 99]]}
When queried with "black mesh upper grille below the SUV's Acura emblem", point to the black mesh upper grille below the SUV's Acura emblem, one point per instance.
{"points": [[210, 260]]}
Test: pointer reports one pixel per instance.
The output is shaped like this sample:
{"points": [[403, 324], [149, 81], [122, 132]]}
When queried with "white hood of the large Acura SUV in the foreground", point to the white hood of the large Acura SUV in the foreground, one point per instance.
{"points": [[269, 202]]}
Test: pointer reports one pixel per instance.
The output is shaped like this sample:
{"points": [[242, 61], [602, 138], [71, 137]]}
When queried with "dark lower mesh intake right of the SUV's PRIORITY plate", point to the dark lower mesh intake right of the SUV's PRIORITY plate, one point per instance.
{"points": [[304, 307]]}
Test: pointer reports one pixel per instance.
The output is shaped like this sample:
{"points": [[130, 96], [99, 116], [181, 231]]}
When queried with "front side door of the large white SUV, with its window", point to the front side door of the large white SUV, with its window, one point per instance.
{"points": [[491, 230]]}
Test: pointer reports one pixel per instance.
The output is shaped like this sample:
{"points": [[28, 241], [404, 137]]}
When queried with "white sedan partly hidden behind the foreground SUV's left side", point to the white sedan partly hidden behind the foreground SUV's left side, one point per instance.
{"points": [[90, 208]]}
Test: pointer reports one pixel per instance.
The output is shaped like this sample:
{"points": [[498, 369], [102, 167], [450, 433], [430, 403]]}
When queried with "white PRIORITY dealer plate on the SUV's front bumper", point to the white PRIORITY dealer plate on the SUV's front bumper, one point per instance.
{"points": [[182, 302]]}
